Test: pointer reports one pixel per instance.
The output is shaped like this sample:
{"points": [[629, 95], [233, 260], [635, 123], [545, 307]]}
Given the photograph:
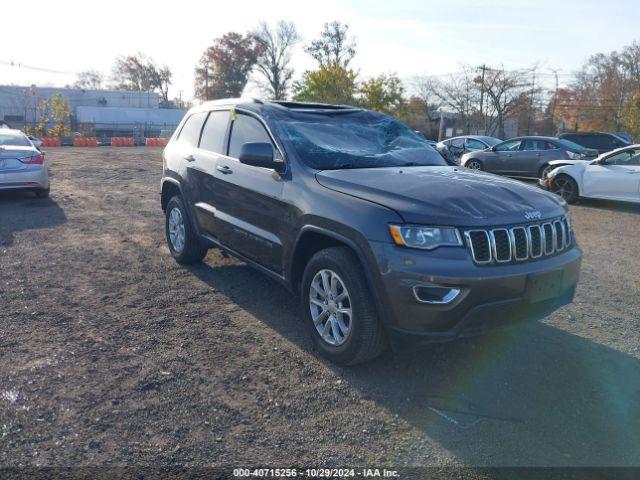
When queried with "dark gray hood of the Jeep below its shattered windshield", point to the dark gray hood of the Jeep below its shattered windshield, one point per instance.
{"points": [[445, 195]]}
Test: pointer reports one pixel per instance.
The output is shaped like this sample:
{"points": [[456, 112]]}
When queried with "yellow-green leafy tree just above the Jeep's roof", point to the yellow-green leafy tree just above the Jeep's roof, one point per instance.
{"points": [[332, 84]]}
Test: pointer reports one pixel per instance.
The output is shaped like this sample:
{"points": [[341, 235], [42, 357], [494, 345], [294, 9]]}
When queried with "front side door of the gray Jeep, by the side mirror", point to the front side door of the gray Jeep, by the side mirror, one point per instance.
{"points": [[248, 199]]}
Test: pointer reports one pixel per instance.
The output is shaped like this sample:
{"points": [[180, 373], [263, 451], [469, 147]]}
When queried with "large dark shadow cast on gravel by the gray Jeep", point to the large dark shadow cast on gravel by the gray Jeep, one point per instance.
{"points": [[535, 395]]}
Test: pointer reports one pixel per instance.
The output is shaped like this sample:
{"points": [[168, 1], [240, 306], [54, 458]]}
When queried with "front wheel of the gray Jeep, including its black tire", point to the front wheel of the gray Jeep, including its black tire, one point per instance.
{"points": [[364, 338]]}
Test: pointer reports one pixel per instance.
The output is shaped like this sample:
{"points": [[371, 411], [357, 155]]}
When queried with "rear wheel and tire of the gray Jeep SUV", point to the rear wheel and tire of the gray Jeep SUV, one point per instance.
{"points": [[182, 241]]}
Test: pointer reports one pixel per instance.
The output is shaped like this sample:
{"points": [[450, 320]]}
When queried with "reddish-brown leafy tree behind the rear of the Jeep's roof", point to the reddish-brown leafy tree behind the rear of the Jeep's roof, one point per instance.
{"points": [[224, 68]]}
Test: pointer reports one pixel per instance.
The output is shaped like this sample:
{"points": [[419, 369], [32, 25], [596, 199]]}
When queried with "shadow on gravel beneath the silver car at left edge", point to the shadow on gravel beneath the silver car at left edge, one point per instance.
{"points": [[21, 211]]}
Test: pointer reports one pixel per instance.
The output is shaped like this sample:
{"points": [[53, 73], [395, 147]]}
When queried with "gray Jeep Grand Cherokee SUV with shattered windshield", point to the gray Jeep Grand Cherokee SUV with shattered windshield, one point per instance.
{"points": [[351, 210]]}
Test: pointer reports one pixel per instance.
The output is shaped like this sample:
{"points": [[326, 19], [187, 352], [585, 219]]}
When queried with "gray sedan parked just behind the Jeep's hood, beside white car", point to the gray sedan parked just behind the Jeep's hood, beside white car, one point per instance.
{"points": [[526, 157]]}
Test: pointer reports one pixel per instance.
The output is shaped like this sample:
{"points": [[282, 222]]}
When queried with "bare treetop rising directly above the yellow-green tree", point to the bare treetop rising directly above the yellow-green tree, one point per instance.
{"points": [[334, 47]]}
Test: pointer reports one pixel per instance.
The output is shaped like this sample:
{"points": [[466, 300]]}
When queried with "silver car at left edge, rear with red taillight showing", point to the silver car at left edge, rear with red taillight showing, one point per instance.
{"points": [[22, 165]]}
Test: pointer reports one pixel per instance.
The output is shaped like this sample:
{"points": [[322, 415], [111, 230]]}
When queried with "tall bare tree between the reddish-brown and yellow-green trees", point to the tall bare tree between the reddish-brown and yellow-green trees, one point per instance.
{"points": [[275, 56]]}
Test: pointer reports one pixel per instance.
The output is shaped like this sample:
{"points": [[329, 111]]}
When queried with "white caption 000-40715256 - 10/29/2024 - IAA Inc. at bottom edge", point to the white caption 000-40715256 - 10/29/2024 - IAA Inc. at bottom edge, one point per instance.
{"points": [[315, 472]]}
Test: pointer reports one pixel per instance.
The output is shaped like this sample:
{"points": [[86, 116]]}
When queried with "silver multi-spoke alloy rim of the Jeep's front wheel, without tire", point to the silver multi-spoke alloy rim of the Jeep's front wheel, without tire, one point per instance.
{"points": [[330, 307]]}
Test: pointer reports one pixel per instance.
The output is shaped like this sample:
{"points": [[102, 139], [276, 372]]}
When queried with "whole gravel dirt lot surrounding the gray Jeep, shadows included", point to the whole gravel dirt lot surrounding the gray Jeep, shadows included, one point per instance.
{"points": [[111, 353]]}
